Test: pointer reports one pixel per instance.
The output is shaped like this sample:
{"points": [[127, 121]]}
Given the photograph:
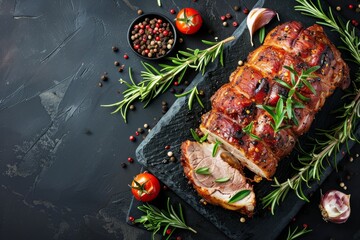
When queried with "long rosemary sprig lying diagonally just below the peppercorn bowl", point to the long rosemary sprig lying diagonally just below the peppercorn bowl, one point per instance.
{"points": [[156, 82]]}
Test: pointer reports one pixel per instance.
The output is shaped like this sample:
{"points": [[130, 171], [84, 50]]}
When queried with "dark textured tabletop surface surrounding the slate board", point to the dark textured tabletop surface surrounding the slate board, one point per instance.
{"points": [[61, 154]]}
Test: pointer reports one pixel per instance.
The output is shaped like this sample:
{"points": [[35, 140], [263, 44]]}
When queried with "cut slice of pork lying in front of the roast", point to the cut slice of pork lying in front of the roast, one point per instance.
{"points": [[195, 156]]}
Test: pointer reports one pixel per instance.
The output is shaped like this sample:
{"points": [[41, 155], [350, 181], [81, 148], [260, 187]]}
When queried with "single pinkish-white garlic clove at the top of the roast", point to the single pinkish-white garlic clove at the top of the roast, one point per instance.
{"points": [[259, 17]]}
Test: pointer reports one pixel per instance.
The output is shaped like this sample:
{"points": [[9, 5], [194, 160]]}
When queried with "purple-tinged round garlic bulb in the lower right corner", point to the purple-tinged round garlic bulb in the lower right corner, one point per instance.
{"points": [[335, 206]]}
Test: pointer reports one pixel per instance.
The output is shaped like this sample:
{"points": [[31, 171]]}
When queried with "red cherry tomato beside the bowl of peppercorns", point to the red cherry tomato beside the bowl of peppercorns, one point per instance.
{"points": [[188, 21]]}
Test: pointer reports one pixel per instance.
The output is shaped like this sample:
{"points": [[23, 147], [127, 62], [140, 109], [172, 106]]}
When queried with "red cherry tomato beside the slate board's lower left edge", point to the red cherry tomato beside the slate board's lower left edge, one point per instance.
{"points": [[145, 187]]}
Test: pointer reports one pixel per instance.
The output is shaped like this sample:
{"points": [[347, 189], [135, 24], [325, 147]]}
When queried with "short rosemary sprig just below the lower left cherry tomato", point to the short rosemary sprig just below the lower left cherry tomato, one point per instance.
{"points": [[155, 219]]}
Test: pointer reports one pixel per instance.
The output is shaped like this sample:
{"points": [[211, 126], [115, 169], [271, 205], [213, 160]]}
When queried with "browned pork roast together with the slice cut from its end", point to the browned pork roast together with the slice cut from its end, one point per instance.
{"points": [[235, 106]]}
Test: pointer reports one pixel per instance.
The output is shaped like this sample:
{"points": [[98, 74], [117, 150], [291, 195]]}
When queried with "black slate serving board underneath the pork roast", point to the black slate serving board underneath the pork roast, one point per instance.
{"points": [[173, 129]]}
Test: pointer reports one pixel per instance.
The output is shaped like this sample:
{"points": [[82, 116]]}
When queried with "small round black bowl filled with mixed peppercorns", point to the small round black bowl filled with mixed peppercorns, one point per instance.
{"points": [[152, 36]]}
